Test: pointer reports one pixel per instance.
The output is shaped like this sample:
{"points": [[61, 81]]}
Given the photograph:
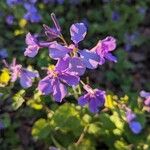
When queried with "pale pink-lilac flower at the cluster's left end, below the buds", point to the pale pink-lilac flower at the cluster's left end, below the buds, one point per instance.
{"points": [[33, 46]]}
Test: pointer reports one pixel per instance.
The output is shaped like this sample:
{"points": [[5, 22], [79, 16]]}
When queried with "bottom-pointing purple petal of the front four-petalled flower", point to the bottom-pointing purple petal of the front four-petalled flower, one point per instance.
{"points": [[59, 91]]}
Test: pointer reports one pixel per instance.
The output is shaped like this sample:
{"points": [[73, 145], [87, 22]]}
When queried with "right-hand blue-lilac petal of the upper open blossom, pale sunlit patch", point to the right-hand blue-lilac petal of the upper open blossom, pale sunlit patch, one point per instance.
{"points": [[90, 59]]}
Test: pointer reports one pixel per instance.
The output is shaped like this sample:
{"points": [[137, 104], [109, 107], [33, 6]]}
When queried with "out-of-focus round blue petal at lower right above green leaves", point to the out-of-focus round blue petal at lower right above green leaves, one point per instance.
{"points": [[135, 127]]}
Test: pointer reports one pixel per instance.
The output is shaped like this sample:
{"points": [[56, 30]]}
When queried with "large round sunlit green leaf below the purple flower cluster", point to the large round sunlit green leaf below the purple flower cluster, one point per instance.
{"points": [[66, 118]]}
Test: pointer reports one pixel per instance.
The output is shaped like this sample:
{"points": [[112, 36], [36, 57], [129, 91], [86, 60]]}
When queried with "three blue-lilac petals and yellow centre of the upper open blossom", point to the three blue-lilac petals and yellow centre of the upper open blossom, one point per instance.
{"points": [[78, 32]]}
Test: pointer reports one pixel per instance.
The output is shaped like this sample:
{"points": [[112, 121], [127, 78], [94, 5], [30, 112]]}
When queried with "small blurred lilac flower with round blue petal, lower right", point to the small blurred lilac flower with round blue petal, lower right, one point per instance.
{"points": [[134, 125]]}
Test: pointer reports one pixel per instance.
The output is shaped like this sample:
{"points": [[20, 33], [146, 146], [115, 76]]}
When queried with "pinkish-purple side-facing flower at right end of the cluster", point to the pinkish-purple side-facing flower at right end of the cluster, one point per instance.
{"points": [[103, 49]]}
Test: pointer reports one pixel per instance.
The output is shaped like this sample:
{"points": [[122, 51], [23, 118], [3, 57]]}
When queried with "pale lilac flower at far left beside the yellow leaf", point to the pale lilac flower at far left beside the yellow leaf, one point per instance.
{"points": [[25, 76]]}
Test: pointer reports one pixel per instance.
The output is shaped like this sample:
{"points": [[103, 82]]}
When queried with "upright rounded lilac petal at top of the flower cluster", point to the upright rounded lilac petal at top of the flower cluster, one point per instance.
{"points": [[78, 32]]}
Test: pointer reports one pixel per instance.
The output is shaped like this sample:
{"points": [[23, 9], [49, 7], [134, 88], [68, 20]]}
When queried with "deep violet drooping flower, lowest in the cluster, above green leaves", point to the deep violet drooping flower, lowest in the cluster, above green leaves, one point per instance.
{"points": [[94, 98]]}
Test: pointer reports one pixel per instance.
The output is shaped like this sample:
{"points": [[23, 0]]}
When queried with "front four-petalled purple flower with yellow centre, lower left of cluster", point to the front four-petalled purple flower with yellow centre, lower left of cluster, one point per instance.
{"points": [[56, 79]]}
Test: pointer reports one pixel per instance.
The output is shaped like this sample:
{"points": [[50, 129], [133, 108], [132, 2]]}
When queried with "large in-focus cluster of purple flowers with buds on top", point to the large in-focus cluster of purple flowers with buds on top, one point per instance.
{"points": [[72, 62]]}
